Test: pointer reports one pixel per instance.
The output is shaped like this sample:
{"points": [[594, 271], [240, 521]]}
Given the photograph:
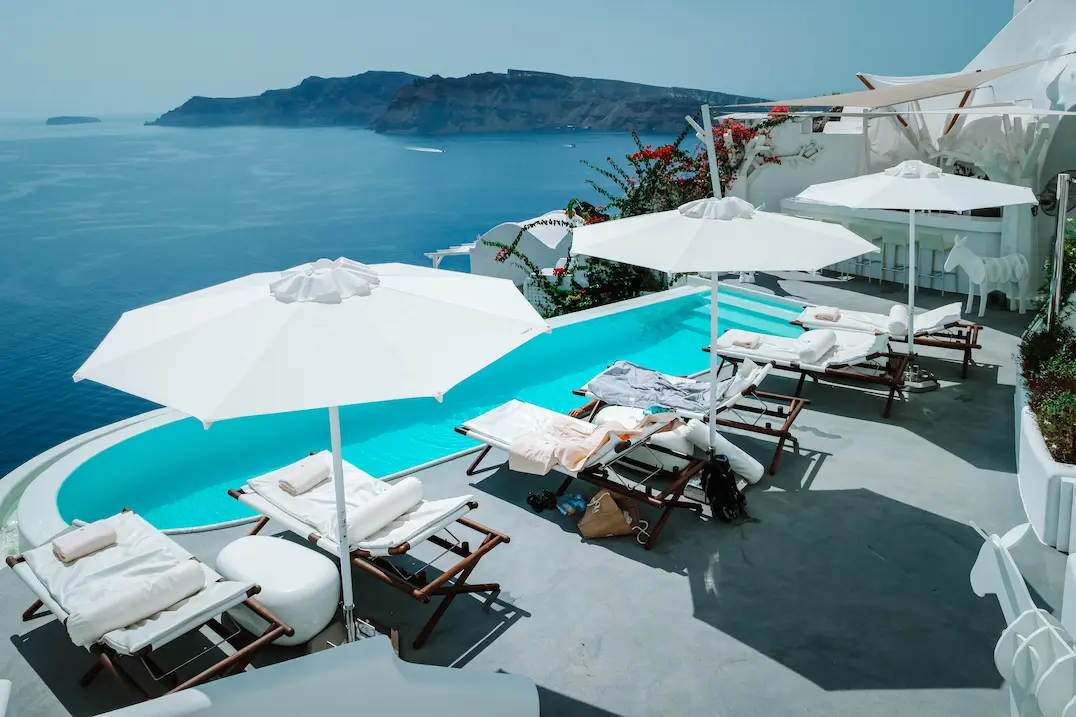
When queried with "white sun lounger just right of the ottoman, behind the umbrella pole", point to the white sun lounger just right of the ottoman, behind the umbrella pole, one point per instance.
{"points": [[313, 514]]}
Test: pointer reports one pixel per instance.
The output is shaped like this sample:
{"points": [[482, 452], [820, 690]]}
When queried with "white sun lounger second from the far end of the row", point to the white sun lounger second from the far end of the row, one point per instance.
{"points": [[859, 357]]}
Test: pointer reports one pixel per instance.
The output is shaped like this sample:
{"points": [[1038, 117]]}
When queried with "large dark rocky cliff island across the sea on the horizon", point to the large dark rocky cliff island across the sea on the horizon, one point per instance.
{"points": [[402, 104]]}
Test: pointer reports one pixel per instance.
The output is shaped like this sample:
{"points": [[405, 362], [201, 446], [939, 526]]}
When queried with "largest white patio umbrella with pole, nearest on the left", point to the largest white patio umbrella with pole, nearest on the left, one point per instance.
{"points": [[320, 335]]}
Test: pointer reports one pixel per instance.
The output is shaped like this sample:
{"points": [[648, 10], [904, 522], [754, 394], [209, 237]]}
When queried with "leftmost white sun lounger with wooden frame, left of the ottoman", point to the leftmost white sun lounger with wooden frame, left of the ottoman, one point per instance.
{"points": [[140, 551]]}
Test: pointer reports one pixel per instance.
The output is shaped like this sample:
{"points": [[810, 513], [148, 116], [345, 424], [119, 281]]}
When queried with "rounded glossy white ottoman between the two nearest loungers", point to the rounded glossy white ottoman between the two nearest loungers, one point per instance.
{"points": [[299, 585]]}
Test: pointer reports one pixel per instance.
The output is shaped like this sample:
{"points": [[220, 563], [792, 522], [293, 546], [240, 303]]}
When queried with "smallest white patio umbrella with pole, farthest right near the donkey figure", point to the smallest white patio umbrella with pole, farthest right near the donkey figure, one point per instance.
{"points": [[916, 186]]}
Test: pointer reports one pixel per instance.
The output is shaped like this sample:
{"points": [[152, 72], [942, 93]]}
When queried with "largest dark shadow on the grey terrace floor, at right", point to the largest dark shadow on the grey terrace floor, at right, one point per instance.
{"points": [[850, 589]]}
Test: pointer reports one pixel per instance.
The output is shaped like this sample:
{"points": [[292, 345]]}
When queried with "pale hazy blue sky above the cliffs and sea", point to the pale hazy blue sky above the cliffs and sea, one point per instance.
{"points": [[148, 57]]}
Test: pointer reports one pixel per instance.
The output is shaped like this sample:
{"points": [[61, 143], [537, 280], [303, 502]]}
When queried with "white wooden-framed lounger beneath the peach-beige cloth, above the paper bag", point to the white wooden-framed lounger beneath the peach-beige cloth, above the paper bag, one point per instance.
{"points": [[503, 426]]}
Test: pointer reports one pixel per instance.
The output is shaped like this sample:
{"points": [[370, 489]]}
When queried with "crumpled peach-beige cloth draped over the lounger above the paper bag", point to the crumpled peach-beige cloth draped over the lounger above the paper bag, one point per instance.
{"points": [[572, 443]]}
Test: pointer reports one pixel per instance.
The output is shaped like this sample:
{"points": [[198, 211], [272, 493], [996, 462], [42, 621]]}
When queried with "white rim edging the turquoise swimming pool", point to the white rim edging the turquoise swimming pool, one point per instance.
{"points": [[38, 513]]}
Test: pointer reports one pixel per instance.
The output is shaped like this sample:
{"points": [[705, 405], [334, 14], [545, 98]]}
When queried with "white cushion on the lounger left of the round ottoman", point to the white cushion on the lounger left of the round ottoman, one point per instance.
{"points": [[140, 551]]}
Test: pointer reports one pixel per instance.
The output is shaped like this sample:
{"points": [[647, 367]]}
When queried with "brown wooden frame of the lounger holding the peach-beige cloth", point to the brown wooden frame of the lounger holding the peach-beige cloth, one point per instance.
{"points": [[667, 500]]}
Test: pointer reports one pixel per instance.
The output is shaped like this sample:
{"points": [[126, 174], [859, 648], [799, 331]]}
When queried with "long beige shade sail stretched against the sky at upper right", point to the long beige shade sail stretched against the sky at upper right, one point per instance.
{"points": [[908, 93]]}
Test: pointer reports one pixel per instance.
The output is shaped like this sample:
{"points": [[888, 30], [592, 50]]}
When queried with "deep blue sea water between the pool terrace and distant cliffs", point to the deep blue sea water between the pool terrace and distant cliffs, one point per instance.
{"points": [[100, 219]]}
